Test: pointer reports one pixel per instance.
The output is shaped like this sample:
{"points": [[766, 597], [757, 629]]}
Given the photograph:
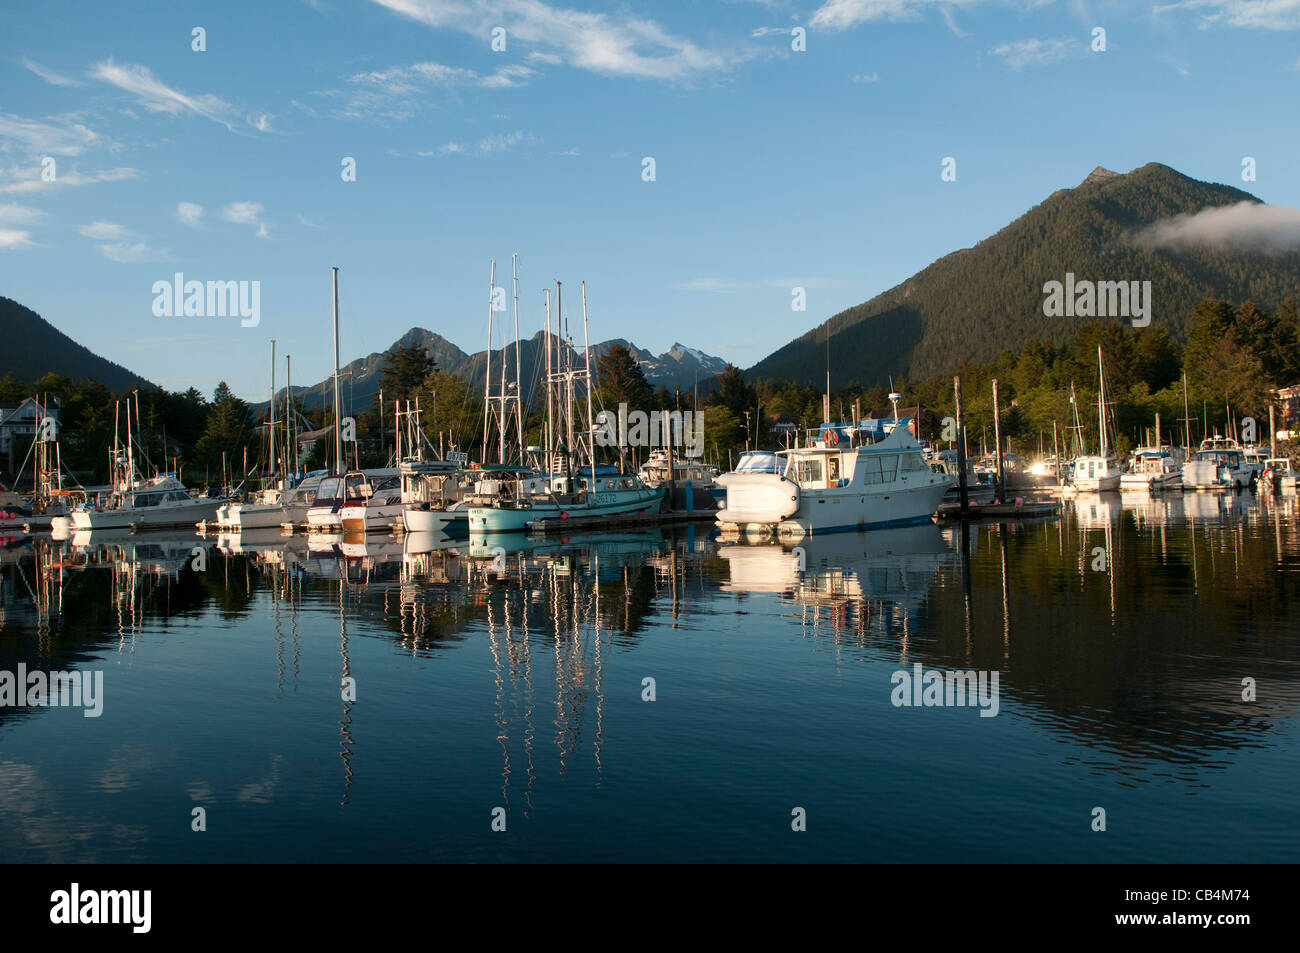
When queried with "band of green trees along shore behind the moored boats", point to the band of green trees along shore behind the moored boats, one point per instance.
{"points": [[1236, 357]]}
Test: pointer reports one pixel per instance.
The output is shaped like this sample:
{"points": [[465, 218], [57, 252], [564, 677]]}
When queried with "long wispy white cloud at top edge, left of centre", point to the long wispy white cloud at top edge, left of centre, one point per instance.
{"points": [[617, 46]]}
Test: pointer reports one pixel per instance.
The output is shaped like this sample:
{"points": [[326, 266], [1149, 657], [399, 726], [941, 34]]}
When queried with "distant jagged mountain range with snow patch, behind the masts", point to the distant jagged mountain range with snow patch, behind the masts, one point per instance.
{"points": [[679, 366]]}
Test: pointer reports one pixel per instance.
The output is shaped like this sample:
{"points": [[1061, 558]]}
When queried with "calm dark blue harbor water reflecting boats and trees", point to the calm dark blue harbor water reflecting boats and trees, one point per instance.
{"points": [[1121, 635]]}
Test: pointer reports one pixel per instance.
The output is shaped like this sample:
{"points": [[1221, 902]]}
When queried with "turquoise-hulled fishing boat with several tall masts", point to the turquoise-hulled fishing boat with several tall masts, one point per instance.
{"points": [[571, 488]]}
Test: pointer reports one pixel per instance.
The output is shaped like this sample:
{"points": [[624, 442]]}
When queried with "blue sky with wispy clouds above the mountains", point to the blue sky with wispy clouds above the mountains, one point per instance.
{"points": [[794, 145]]}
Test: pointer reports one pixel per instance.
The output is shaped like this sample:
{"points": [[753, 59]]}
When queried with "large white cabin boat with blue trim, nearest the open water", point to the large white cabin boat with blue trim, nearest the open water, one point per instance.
{"points": [[831, 486]]}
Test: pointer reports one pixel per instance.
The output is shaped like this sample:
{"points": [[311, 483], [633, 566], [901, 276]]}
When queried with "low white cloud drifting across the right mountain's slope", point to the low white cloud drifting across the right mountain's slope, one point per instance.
{"points": [[1245, 227]]}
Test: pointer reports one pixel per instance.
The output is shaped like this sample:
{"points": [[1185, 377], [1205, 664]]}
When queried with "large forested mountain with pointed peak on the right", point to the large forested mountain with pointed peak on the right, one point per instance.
{"points": [[976, 304]]}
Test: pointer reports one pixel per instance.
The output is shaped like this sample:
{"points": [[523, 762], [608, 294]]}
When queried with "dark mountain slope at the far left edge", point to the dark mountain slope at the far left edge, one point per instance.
{"points": [[33, 348]]}
